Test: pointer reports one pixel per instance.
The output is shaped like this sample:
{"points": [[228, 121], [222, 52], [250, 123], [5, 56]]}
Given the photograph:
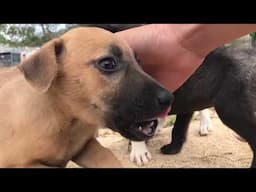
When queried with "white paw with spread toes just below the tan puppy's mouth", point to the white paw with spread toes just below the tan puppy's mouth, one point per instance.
{"points": [[139, 153]]}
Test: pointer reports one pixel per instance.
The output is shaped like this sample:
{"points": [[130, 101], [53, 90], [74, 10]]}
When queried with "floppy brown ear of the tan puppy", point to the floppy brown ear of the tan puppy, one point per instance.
{"points": [[41, 68]]}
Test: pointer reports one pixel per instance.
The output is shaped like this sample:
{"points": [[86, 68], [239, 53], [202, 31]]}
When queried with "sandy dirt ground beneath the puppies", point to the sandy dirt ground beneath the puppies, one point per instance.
{"points": [[220, 149]]}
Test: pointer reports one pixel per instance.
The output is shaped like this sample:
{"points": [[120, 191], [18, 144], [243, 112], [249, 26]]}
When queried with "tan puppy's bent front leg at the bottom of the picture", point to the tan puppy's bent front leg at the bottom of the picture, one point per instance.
{"points": [[94, 155]]}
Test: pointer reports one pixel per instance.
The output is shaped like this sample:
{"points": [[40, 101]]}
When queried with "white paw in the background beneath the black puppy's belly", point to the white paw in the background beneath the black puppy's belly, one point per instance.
{"points": [[205, 122]]}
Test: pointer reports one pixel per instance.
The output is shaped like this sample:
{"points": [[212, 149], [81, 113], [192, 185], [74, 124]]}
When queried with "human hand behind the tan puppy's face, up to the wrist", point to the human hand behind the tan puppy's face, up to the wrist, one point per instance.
{"points": [[162, 54]]}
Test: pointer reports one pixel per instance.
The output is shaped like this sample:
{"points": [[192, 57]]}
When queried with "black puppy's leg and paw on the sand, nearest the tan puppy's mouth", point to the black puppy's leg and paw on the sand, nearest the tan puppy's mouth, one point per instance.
{"points": [[179, 134]]}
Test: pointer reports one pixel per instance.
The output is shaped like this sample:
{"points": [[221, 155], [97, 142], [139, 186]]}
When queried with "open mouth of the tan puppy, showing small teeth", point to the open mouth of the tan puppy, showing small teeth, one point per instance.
{"points": [[147, 128]]}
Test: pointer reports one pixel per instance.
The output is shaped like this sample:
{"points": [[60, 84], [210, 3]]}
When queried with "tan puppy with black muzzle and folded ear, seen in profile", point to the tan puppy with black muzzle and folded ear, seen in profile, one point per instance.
{"points": [[52, 104]]}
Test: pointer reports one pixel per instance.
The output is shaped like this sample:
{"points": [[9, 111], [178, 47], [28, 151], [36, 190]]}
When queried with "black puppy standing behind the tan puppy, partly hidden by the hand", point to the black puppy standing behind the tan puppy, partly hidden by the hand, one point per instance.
{"points": [[227, 81]]}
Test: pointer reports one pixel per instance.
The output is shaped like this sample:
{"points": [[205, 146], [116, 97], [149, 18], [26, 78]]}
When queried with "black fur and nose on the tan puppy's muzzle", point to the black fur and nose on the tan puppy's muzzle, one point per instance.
{"points": [[141, 97]]}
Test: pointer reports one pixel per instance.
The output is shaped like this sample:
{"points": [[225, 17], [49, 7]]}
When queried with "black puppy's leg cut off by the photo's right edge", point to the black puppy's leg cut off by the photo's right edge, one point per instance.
{"points": [[239, 116]]}
